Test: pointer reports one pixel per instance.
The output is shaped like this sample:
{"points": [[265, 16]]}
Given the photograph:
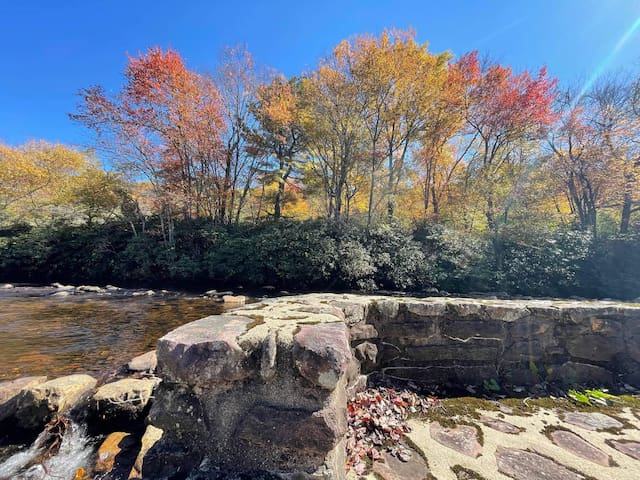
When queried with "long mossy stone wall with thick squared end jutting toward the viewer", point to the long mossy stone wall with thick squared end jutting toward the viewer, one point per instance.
{"points": [[265, 389]]}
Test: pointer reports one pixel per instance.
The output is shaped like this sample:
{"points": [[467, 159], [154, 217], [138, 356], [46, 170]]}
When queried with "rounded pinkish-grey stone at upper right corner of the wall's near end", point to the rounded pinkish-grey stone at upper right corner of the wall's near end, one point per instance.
{"points": [[322, 353]]}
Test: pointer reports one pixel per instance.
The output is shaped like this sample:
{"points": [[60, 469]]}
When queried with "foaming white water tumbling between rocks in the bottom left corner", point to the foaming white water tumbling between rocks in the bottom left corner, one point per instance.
{"points": [[75, 452]]}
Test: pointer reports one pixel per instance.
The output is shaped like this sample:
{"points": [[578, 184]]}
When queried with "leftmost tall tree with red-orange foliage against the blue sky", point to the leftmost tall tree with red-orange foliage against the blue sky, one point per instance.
{"points": [[166, 125]]}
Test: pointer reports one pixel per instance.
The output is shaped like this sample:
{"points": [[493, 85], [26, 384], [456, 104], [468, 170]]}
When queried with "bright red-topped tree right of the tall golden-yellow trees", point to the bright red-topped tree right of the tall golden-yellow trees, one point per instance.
{"points": [[505, 111]]}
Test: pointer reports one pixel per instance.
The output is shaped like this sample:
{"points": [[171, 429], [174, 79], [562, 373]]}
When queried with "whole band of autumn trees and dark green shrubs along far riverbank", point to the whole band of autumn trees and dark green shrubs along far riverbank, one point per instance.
{"points": [[386, 166]]}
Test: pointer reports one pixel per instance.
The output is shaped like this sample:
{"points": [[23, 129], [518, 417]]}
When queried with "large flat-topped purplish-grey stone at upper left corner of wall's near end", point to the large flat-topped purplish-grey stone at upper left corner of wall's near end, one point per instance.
{"points": [[205, 353]]}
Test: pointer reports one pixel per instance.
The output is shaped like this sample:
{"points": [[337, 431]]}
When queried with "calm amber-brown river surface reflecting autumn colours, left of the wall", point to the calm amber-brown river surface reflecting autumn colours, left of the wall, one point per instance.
{"points": [[87, 333]]}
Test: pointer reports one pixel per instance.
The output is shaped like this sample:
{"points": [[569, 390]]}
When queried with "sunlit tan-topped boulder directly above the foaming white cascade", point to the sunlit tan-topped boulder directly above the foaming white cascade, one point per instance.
{"points": [[37, 404]]}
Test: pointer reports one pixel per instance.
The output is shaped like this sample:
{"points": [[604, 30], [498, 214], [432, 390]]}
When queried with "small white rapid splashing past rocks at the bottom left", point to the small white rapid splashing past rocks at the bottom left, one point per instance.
{"points": [[73, 456]]}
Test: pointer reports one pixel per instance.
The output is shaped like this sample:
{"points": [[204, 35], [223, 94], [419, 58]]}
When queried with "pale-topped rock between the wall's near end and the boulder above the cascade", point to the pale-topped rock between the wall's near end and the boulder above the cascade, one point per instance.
{"points": [[123, 399]]}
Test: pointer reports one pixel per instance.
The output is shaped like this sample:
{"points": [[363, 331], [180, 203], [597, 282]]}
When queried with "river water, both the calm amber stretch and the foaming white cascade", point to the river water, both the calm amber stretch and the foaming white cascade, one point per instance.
{"points": [[92, 333]]}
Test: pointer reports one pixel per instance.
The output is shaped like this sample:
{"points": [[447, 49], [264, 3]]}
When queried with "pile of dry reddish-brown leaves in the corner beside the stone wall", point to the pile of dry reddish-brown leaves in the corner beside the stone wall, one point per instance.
{"points": [[377, 421]]}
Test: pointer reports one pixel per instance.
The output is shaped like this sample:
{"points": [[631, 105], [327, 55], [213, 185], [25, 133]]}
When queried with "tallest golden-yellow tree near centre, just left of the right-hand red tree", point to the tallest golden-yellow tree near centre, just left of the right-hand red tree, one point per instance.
{"points": [[398, 82]]}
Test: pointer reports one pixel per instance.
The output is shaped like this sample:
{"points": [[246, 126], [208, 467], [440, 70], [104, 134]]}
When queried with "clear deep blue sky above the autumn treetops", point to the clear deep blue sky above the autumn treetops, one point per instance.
{"points": [[50, 49]]}
